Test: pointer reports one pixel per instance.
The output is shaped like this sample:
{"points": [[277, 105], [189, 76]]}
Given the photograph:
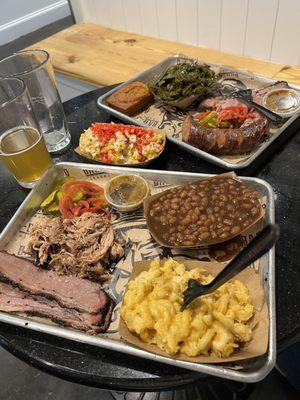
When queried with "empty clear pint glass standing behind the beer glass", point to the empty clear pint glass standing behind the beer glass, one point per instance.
{"points": [[35, 69]]}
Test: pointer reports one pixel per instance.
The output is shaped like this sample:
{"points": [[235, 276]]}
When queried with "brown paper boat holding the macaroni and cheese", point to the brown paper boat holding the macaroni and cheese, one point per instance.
{"points": [[259, 323]]}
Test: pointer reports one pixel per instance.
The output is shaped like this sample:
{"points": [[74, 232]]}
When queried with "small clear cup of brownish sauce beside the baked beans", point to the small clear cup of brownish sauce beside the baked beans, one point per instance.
{"points": [[126, 192]]}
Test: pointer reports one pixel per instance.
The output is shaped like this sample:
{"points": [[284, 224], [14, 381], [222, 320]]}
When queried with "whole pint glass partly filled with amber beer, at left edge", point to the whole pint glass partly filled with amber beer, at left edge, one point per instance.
{"points": [[22, 147]]}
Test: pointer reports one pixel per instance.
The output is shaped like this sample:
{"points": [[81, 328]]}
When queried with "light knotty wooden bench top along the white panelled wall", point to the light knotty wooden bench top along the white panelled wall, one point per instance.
{"points": [[102, 56]]}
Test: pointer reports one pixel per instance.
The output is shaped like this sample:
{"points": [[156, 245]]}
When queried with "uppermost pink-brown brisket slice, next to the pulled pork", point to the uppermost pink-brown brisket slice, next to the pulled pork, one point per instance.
{"points": [[69, 291]]}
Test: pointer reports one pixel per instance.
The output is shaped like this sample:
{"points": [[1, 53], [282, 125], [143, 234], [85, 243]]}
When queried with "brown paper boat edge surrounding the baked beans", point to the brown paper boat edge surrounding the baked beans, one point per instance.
{"points": [[149, 200]]}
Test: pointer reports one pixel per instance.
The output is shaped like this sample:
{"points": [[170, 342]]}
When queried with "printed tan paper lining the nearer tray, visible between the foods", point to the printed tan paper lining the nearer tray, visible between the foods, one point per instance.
{"points": [[134, 231]]}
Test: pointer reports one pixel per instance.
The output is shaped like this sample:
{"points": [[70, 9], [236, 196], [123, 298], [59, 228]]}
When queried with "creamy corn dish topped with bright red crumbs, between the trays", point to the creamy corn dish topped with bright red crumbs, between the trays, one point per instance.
{"points": [[120, 144]]}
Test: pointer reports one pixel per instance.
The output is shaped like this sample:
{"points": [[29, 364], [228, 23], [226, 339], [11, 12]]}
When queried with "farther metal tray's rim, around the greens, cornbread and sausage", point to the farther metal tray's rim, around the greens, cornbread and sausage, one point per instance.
{"points": [[148, 74]]}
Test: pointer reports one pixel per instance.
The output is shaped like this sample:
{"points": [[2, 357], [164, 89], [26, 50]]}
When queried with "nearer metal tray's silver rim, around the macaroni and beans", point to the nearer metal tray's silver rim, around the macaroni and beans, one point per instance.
{"points": [[254, 370]]}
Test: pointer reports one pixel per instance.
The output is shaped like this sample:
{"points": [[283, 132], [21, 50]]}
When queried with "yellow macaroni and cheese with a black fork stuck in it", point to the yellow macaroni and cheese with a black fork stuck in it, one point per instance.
{"points": [[216, 323]]}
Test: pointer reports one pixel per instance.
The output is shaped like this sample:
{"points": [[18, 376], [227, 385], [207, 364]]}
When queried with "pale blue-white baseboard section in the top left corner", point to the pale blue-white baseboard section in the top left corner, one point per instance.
{"points": [[19, 17]]}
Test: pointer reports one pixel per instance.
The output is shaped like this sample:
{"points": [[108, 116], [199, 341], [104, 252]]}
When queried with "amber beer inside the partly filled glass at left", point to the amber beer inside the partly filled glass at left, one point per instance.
{"points": [[23, 151]]}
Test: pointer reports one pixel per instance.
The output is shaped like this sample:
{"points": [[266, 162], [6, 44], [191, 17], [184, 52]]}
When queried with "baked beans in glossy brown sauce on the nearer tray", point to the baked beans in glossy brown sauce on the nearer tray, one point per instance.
{"points": [[202, 213]]}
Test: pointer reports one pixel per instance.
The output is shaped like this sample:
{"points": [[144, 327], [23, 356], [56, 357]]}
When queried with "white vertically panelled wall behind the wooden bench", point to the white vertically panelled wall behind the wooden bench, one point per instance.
{"points": [[265, 29]]}
